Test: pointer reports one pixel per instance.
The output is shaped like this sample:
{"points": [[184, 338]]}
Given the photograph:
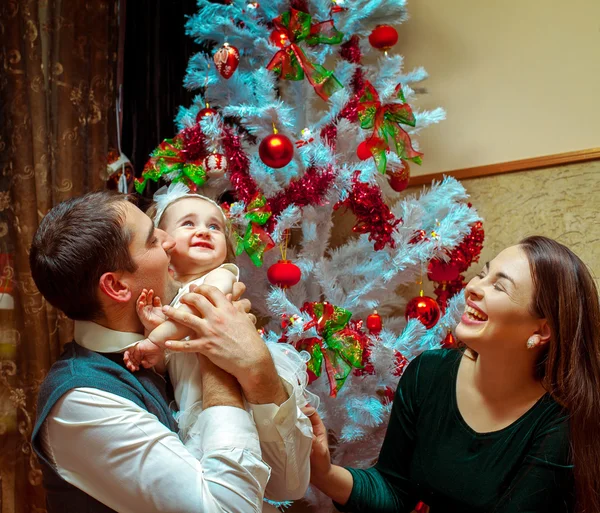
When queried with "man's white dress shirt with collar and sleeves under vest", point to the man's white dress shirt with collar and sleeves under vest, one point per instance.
{"points": [[121, 455]]}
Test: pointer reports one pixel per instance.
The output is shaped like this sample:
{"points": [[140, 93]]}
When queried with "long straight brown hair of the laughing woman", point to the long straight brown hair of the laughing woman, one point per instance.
{"points": [[567, 297]]}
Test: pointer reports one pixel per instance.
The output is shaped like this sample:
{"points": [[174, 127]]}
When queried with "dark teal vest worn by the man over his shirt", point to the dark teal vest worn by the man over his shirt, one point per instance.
{"points": [[78, 367]]}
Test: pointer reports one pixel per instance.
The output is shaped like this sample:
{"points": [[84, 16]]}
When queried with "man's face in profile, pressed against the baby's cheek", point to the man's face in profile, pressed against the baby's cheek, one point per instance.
{"points": [[150, 249]]}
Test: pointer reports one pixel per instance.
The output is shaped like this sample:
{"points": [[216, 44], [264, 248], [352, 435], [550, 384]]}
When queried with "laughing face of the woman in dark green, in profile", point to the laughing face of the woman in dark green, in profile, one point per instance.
{"points": [[497, 314]]}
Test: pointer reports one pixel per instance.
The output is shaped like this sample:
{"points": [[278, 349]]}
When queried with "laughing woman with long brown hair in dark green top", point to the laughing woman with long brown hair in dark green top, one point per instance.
{"points": [[508, 425]]}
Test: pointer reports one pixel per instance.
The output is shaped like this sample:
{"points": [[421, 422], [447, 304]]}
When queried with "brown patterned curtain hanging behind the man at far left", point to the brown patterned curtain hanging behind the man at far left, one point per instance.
{"points": [[58, 63]]}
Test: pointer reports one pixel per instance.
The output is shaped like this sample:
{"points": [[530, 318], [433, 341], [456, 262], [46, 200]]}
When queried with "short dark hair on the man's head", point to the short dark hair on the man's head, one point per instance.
{"points": [[76, 243]]}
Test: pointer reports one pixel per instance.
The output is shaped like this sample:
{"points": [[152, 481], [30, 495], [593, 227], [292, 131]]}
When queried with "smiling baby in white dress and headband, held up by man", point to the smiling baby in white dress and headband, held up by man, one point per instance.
{"points": [[203, 255]]}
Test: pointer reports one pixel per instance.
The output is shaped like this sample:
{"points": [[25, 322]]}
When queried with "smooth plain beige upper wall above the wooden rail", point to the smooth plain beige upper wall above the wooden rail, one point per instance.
{"points": [[518, 78]]}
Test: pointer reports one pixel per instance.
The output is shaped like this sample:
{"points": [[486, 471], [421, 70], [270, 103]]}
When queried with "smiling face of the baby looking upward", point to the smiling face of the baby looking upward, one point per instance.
{"points": [[198, 228]]}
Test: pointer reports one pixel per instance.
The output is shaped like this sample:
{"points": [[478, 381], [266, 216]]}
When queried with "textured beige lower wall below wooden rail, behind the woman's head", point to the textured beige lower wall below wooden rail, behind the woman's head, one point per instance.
{"points": [[562, 203]]}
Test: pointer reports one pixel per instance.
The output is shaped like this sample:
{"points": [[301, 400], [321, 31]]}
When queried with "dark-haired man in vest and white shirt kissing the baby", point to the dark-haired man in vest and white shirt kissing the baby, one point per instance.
{"points": [[105, 436]]}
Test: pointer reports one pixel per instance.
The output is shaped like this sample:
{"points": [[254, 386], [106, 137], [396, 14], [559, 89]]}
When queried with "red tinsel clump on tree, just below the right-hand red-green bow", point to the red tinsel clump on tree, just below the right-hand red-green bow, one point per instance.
{"points": [[373, 215]]}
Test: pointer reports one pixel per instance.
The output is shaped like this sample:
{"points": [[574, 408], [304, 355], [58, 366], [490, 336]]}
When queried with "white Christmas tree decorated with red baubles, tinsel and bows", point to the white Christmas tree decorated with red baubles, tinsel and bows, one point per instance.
{"points": [[299, 141]]}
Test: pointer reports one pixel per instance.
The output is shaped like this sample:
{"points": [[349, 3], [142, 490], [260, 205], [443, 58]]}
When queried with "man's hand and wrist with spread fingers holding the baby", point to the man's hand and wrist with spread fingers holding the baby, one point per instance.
{"points": [[227, 336]]}
